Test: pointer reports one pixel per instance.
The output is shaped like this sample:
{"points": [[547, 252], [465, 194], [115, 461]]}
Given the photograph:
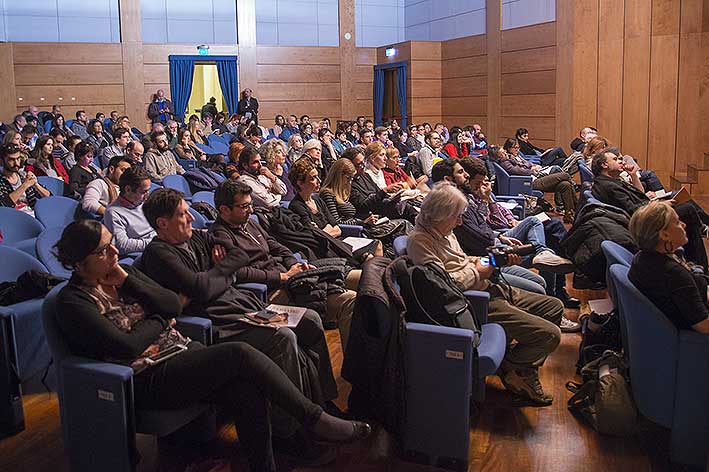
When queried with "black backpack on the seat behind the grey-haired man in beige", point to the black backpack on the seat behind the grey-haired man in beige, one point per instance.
{"points": [[431, 297]]}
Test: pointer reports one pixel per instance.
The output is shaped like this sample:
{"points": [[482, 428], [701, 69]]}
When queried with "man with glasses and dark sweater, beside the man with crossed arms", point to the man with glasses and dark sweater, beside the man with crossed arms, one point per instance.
{"points": [[270, 262]]}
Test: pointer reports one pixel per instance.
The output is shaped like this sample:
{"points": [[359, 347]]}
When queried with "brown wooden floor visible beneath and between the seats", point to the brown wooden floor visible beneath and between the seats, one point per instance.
{"points": [[504, 437]]}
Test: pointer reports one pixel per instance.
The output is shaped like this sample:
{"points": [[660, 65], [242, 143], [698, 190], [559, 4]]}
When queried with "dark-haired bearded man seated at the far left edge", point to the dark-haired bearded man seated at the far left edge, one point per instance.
{"points": [[16, 191]]}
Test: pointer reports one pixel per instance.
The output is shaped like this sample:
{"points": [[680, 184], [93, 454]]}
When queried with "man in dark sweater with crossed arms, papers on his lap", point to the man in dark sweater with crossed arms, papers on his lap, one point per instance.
{"points": [[199, 268]]}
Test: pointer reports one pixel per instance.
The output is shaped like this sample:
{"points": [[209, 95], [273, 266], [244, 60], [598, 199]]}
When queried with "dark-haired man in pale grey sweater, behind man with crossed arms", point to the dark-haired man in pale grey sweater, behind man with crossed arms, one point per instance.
{"points": [[124, 217]]}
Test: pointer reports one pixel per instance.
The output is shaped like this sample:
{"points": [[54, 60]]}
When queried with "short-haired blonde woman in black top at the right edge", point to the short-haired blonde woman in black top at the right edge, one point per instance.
{"points": [[663, 276]]}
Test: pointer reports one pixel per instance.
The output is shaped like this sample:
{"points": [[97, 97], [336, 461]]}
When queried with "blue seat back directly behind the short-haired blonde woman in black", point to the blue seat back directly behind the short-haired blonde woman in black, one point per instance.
{"points": [[653, 350]]}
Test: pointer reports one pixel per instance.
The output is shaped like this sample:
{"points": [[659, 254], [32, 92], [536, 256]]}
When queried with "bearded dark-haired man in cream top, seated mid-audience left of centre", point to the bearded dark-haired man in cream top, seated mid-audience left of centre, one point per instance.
{"points": [[268, 190]]}
